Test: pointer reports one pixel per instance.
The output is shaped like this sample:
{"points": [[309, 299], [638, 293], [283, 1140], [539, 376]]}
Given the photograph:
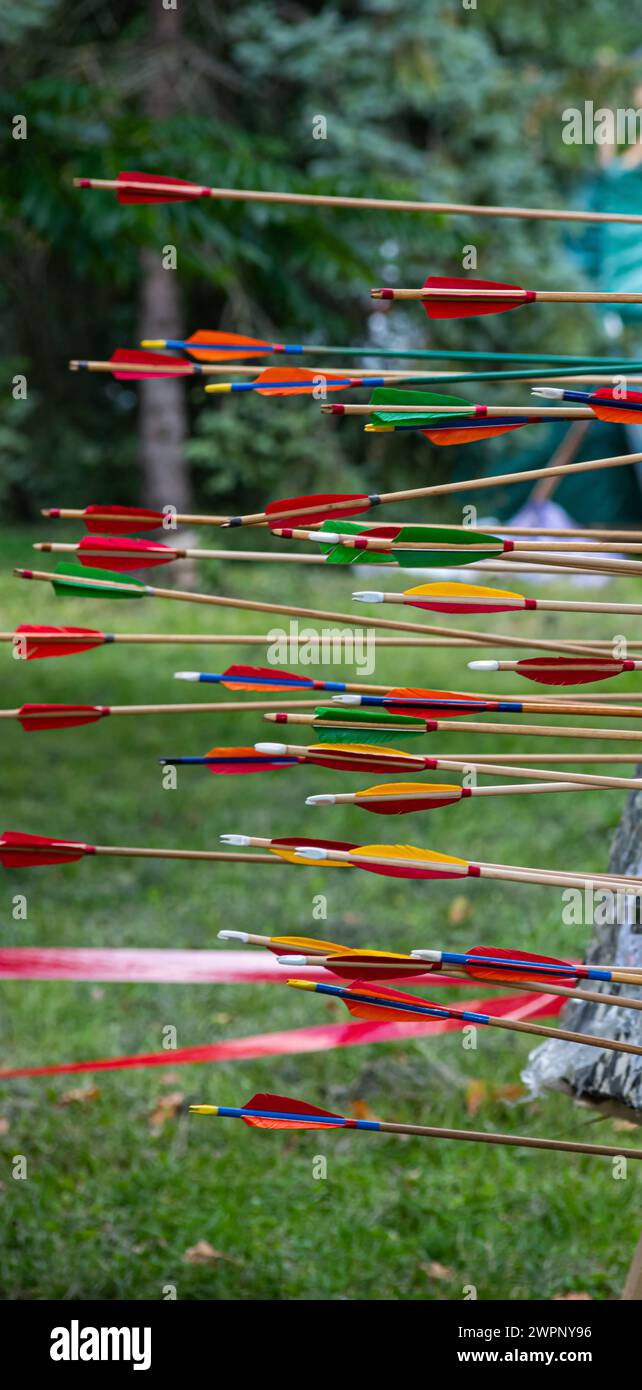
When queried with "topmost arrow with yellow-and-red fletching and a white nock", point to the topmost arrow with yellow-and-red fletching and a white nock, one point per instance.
{"points": [[470, 598]]}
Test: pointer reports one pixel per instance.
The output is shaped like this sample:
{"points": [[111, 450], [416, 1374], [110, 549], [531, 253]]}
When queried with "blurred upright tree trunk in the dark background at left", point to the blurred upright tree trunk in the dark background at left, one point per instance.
{"points": [[163, 419]]}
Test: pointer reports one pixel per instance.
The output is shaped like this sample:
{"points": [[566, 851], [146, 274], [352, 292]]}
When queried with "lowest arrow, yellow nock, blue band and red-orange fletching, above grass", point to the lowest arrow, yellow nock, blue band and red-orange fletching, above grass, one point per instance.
{"points": [[269, 1111]]}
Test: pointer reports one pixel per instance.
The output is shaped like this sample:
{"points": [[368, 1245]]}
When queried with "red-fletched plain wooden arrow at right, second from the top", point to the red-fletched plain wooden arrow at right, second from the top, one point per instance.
{"points": [[454, 297]]}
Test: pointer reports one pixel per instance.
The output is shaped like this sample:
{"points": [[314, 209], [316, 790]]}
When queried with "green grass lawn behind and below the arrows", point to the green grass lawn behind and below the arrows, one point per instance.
{"points": [[110, 1207]]}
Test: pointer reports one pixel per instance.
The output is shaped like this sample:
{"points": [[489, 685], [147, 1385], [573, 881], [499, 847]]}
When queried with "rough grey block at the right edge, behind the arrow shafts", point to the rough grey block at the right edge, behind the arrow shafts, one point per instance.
{"points": [[612, 1081]]}
